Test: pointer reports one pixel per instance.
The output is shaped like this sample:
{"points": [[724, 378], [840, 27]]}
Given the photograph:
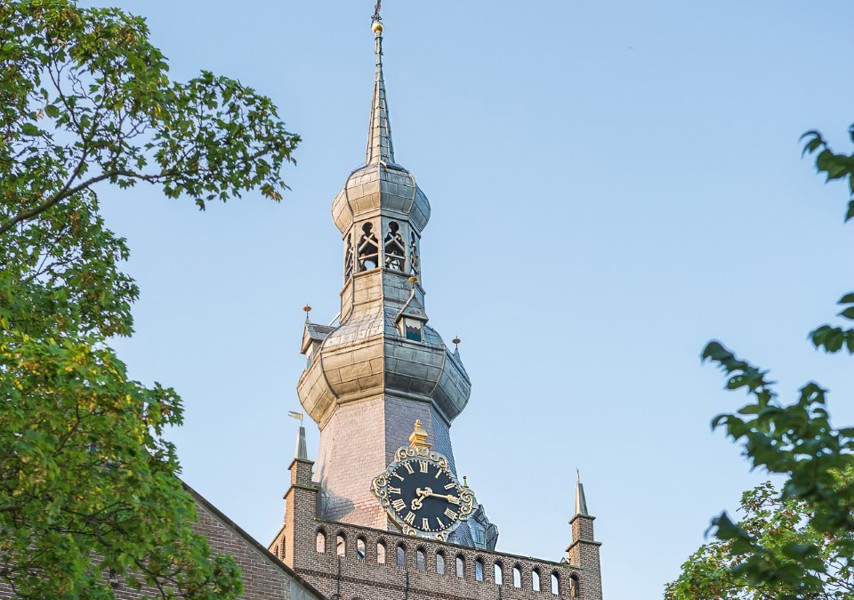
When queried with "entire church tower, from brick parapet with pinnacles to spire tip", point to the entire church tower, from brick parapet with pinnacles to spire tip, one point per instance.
{"points": [[382, 515]]}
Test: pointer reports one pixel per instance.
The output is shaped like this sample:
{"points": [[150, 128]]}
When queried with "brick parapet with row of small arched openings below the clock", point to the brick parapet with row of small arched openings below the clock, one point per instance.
{"points": [[344, 561]]}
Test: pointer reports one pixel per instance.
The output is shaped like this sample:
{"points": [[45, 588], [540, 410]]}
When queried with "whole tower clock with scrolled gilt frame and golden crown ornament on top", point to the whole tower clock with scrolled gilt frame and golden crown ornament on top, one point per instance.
{"points": [[420, 493]]}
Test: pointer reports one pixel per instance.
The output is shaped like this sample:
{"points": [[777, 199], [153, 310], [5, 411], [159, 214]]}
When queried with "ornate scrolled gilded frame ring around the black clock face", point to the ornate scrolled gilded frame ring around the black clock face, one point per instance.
{"points": [[380, 488]]}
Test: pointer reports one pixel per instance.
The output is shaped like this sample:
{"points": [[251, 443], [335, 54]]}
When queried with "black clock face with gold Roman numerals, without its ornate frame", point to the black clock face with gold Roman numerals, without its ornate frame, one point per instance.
{"points": [[423, 495]]}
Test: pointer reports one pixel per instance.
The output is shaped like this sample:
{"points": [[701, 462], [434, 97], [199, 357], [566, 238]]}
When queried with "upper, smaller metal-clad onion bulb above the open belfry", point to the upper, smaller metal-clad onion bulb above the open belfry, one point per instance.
{"points": [[378, 186]]}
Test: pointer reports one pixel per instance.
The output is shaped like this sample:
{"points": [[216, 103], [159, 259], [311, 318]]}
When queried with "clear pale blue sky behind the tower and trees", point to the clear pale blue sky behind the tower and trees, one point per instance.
{"points": [[613, 184]]}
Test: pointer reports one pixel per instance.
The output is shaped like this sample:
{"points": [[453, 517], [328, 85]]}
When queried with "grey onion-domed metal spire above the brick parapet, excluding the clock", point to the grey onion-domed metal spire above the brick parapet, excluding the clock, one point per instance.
{"points": [[382, 367]]}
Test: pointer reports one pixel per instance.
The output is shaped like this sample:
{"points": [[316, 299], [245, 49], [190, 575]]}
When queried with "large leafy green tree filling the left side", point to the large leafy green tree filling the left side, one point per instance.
{"points": [[88, 485]]}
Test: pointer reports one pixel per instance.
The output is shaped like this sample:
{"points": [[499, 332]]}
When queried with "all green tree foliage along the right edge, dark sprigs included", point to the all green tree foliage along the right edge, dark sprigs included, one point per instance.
{"points": [[759, 557]]}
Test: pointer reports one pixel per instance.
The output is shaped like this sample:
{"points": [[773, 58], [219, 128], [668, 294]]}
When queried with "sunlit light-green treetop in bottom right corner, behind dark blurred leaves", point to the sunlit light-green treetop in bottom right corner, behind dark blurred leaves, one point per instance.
{"points": [[782, 528]]}
